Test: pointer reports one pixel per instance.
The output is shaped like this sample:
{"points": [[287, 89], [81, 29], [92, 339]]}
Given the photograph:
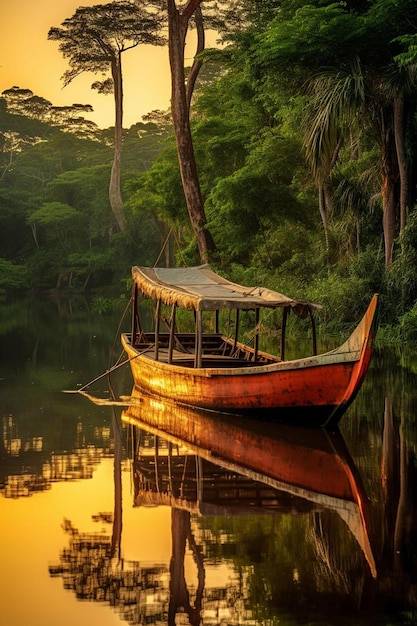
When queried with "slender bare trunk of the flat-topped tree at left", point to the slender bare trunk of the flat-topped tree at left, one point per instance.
{"points": [[115, 196]]}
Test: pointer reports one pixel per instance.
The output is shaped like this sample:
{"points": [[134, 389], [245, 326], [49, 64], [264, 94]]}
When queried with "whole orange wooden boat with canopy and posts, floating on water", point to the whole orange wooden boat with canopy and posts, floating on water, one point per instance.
{"points": [[213, 369]]}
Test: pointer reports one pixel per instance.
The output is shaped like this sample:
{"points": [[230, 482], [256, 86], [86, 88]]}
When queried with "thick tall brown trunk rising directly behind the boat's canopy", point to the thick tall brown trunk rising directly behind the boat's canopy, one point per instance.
{"points": [[178, 27]]}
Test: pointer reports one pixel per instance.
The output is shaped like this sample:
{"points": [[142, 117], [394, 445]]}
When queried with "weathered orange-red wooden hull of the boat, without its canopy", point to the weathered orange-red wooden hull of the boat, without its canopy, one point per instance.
{"points": [[315, 390]]}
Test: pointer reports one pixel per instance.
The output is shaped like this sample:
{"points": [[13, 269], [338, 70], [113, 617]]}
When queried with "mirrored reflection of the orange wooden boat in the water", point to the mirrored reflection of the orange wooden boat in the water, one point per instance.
{"points": [[311, 468]]}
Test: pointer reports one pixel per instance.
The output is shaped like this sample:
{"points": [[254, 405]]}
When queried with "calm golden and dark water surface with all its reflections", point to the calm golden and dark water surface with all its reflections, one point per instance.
{"points": [[113, 515]]}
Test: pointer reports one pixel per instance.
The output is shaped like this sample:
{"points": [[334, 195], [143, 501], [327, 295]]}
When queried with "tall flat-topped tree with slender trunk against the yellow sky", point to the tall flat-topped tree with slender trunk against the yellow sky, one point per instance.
{"points": [[93, 40]]}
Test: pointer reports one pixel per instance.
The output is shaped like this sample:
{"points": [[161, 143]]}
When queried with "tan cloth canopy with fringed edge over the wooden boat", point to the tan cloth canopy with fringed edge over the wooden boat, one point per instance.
{"points": [[201, 289]]}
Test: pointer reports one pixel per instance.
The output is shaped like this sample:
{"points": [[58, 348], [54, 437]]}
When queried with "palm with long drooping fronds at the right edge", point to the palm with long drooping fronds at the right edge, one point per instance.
{"points": [[349, 101]]}
